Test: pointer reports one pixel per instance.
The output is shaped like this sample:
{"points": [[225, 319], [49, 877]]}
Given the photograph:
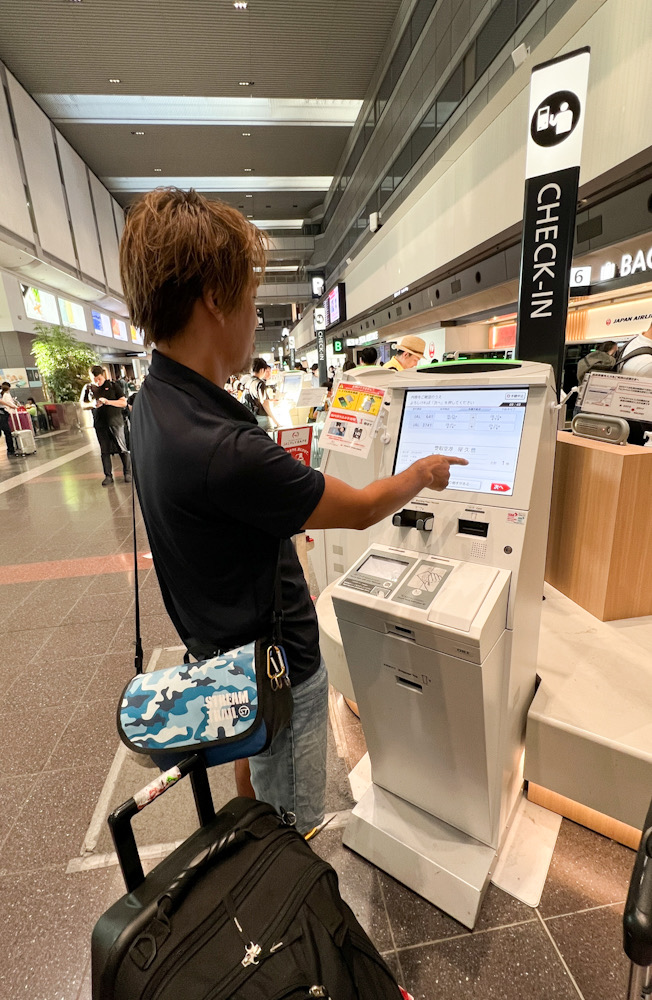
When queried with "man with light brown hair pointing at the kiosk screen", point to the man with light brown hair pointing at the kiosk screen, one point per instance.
{"points": [[221, 501]]}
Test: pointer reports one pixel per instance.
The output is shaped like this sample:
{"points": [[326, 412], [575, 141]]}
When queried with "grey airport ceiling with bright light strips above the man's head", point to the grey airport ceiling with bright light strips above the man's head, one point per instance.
{"points": [[152, 91]]}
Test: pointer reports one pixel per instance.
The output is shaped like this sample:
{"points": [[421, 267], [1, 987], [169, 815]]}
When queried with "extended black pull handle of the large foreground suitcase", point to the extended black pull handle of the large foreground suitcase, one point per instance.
{"points": [[120, 820]]}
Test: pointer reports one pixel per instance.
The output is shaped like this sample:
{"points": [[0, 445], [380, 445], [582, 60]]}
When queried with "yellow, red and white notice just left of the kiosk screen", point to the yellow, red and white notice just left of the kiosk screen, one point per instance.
{"points": [[352, 418]]}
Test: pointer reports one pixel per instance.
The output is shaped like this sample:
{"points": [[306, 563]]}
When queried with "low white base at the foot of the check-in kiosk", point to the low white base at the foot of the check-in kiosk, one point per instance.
{"points": [[442, 864]]}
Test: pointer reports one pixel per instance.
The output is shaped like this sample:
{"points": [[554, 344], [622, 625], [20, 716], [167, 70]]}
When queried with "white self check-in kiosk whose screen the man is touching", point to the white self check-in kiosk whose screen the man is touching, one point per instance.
{"points": [[439, 620]]}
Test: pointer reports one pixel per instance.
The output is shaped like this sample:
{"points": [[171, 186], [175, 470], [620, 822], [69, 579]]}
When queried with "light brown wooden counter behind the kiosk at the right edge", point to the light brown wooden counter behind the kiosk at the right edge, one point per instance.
{"points": [[600, 539]]}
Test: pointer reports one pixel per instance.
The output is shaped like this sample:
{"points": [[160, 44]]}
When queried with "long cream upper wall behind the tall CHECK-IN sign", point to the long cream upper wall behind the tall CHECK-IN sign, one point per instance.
{"points": [[477, 191]]}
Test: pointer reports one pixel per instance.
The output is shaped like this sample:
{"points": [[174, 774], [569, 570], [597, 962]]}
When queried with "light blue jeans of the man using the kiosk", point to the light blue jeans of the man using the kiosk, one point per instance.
{"points": [[291, 773]]}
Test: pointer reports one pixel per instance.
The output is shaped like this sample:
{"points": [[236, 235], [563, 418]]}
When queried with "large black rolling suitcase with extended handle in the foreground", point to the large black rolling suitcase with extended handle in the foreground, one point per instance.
{"points": [[243, 909]]}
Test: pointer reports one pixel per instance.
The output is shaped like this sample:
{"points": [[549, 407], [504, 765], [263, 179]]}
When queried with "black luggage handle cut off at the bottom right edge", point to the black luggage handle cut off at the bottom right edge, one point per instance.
{"points": [[637, 919]]}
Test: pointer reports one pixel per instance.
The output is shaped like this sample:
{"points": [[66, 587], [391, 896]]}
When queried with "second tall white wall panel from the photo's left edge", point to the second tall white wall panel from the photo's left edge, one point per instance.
{"points": [[37, 146]]}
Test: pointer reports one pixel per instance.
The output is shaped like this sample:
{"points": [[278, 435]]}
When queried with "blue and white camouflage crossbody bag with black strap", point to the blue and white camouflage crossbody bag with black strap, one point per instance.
{"points": [[228, 705]]}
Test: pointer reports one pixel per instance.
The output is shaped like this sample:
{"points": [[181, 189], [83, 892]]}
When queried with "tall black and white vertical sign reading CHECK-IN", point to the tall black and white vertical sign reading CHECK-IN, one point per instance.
{"points": [[554, 144]]}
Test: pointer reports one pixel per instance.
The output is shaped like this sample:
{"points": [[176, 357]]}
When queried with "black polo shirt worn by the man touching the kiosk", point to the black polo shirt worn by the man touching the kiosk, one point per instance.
{"points": [[218, 497]]}
